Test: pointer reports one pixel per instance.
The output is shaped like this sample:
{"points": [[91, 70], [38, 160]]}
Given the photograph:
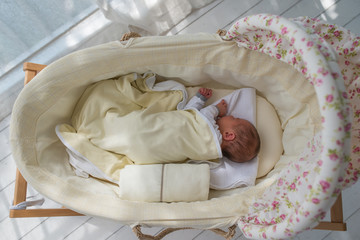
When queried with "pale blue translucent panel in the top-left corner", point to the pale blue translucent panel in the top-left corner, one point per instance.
{"points": [[27, 25]]}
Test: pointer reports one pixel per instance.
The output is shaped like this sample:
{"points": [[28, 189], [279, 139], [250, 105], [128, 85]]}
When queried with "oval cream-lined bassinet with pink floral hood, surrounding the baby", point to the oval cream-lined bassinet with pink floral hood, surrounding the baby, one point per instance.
{"points": [[276, 56]]}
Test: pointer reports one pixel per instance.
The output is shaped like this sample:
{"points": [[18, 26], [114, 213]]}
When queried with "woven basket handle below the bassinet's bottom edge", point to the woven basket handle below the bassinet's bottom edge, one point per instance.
{"points": [[137, 230]]}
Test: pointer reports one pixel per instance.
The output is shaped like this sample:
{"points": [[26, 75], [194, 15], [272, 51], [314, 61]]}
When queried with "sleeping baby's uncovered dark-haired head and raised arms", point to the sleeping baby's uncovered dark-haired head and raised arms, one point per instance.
{"points": [[238, 138]]}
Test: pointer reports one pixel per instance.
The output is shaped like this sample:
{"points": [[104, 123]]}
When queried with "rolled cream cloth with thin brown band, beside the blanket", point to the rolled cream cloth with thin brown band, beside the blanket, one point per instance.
{"points": [[165, 182]]}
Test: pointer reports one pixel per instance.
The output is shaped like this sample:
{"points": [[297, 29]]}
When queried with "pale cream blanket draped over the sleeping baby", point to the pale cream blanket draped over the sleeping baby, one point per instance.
{"points": [[123, 121]]}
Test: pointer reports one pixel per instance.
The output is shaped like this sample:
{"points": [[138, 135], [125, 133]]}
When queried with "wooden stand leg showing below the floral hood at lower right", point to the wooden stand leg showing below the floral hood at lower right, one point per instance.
{"points": [[337, 221]]}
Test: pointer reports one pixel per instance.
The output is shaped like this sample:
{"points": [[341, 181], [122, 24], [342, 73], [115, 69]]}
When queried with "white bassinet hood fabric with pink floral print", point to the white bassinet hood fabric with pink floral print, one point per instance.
{"points": [[328, 56]]}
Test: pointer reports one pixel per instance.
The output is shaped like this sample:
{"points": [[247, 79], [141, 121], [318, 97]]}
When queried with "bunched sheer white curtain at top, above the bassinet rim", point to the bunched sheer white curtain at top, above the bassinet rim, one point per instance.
{"points": [[149, 17]]}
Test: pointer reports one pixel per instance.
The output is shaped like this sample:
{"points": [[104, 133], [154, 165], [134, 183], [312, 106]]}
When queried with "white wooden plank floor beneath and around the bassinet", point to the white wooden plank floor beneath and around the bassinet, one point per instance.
{"points": [[219, 14]]}
